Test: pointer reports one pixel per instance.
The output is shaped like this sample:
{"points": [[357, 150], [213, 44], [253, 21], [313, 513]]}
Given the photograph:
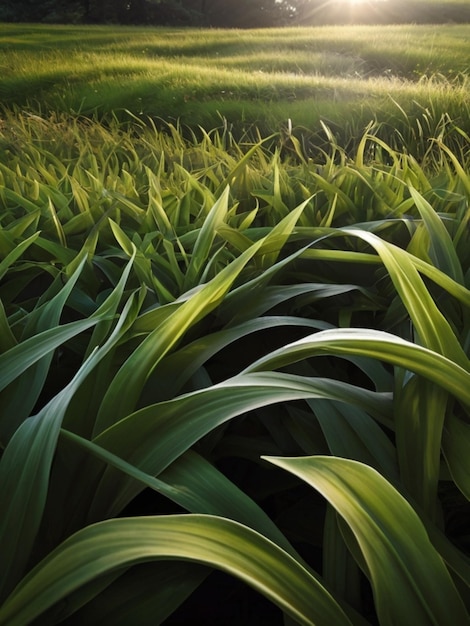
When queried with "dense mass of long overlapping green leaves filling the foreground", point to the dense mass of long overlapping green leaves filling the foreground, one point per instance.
{"points": [[186, 347]]}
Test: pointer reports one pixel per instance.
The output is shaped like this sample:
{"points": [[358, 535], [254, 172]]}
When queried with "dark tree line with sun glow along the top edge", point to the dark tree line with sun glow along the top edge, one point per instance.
{"points": [[232, 13]]}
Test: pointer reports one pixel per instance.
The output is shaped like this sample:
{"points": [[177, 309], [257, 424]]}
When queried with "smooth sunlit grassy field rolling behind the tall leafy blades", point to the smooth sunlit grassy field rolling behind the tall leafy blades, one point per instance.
{"points": [[343, 75]]}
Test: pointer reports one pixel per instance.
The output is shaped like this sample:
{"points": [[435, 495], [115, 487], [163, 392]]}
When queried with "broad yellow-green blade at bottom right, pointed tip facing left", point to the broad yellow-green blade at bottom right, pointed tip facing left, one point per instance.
{"points": [[410, 582]]}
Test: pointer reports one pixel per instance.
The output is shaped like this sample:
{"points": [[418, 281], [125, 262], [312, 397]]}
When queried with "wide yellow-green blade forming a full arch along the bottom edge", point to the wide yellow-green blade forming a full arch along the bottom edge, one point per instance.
{"points": [[218, 542]]}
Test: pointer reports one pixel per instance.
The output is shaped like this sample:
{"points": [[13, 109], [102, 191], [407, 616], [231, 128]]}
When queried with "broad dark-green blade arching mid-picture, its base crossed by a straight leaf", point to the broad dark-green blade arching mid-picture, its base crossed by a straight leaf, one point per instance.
{"points": [[152, 438]]}
